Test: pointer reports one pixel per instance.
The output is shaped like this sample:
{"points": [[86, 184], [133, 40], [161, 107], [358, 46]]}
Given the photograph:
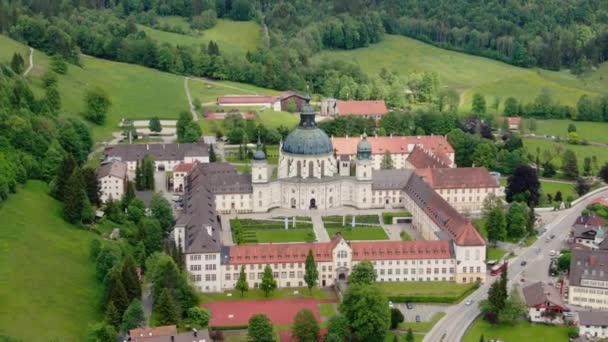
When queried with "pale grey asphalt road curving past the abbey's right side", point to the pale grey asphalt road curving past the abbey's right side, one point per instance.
{"points": [[454, 324]]}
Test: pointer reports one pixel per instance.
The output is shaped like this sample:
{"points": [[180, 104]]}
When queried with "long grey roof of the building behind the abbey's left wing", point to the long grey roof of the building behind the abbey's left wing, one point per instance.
{"points": [[135, 152]]}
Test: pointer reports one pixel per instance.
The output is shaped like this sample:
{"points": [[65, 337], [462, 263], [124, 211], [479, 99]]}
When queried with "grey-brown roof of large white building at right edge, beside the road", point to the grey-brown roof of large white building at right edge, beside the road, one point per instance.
{"points": [[588, 264]]}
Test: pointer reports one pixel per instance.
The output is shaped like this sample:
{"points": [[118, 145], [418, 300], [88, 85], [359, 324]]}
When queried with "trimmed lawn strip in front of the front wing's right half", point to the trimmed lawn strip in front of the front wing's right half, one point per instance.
{"points": [[425, 288]]}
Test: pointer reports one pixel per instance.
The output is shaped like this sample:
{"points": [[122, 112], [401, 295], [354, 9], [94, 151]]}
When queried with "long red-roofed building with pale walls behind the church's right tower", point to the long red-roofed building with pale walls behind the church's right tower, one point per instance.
{"points": [[406, 152]]}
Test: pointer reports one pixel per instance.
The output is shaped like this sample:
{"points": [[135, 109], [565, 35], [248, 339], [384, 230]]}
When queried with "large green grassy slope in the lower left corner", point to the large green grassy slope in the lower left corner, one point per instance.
{"points": [[47, 282]]}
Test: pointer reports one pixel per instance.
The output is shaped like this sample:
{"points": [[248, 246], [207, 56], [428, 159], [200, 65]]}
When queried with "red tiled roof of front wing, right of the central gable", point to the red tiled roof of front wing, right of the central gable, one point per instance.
{"points": [[401, 250]]}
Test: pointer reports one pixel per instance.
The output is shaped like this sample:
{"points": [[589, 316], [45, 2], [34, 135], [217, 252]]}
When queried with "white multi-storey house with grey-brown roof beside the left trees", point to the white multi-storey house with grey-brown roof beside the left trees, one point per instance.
{"points": [[112, 178]]}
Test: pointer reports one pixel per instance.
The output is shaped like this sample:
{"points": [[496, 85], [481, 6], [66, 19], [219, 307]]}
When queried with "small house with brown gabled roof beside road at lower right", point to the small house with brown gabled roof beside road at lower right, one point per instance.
{"points": [[544, 302]]}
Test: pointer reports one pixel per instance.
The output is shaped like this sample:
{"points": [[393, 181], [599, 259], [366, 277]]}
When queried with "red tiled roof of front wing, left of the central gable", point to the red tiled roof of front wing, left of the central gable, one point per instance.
{"points": [[282, 252]]}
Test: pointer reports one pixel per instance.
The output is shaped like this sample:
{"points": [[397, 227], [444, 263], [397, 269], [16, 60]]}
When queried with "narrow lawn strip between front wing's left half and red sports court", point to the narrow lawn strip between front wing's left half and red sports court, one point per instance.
{"points": [[280, 293]]}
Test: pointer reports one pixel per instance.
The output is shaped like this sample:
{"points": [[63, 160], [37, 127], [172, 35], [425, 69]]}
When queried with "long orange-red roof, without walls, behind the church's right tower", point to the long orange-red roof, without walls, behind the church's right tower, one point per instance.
{"points": [[436, 144]]}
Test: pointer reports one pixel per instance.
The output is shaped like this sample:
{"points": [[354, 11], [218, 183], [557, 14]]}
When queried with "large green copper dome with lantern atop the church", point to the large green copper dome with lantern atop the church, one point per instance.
{"points": [[307, 138]]}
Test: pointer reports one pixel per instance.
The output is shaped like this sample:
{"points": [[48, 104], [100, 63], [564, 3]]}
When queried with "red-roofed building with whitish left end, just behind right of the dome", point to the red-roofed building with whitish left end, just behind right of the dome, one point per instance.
{"points": [[367, 108]]}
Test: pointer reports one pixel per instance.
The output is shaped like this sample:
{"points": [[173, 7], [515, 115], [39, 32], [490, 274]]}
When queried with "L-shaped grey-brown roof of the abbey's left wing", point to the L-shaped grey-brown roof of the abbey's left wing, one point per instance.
{"points": [[202, 184]]}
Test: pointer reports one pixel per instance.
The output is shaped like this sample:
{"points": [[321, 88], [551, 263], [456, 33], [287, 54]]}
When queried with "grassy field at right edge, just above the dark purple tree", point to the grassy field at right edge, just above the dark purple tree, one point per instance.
{"points": [[581, 151]]}
